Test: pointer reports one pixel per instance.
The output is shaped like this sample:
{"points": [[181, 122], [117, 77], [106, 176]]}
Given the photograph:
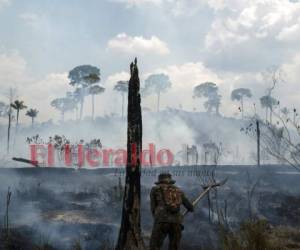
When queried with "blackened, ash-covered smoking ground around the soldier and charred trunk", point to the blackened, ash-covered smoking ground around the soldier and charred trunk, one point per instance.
{"points": [[65, 206]]}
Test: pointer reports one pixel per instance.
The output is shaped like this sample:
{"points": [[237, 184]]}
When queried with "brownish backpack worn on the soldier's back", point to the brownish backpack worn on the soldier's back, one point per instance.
{"points": [[171, 197]]}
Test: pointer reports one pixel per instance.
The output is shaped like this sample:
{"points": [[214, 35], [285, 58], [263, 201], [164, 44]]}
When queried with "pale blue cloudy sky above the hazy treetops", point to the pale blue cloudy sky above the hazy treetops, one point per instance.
{"points": [[229, 42]]}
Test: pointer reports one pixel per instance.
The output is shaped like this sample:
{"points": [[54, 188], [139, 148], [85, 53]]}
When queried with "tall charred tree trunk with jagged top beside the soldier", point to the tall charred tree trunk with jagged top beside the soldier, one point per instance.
{"points": [[130, 236]]}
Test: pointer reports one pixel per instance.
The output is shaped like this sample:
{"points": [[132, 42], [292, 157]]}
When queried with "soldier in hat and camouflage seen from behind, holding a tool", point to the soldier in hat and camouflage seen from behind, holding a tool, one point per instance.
{"points": [[166, 200]]}
